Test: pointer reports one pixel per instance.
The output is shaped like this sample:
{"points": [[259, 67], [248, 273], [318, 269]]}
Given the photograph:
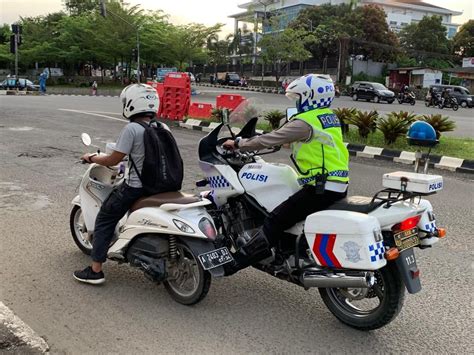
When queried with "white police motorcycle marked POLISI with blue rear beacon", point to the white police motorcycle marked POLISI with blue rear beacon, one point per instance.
{"points": [[360, 253]]}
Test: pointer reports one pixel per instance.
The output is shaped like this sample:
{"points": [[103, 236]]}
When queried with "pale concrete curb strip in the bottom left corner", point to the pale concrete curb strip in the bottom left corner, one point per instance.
{"points": [[21, 330]]}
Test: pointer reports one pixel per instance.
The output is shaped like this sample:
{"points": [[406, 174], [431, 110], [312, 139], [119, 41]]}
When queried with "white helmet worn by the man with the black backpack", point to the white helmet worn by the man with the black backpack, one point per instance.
{"points": [[139, 99]]}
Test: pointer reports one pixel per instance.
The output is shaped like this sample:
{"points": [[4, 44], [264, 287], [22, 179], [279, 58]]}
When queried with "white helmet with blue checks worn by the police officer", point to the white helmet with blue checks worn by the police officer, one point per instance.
{"points": [[311, 91]]}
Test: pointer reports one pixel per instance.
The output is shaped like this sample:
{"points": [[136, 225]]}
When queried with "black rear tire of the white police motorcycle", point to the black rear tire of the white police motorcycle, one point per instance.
{"points": [[391, 303]]}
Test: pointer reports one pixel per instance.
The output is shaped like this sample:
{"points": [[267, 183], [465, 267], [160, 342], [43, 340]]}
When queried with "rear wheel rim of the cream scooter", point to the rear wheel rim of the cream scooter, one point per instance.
{"points": [[186, 278]]}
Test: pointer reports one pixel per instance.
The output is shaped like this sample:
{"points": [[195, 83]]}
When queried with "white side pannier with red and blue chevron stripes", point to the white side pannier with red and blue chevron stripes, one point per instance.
{"points": [[345, 240]]}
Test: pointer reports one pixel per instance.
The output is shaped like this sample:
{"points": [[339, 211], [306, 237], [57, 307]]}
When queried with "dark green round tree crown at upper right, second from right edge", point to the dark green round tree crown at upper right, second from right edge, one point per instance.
{"points": [[426, 38]]}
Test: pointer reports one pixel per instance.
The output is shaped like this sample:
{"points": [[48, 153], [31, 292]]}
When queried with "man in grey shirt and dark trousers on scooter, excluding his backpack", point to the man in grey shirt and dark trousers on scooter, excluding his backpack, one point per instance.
{"points": [[140, 104]]}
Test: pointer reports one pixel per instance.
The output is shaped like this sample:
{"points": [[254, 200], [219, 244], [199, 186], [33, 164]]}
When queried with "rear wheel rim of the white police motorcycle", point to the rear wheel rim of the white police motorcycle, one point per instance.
{"points": [[361, 302]]}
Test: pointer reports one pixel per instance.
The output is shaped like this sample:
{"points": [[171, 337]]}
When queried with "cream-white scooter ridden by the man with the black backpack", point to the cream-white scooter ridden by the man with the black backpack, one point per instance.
{"points": [[169, 236]]}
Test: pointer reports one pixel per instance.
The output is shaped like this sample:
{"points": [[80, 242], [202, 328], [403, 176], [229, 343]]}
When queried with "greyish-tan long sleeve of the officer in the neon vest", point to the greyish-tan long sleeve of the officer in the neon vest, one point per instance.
{"points": [[294, 131]]}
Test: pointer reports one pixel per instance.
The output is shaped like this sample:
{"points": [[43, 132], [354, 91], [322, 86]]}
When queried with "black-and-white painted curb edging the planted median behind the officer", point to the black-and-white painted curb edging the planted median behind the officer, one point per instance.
{"points": [[365, 151]]}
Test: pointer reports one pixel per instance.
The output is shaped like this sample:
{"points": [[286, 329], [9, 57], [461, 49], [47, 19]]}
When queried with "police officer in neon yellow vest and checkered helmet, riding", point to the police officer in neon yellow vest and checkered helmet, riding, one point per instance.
{"points": [[320, 156]]}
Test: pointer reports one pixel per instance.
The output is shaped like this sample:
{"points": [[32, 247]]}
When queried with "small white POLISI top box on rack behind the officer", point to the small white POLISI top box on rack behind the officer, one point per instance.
{"points": [[421, 183]]}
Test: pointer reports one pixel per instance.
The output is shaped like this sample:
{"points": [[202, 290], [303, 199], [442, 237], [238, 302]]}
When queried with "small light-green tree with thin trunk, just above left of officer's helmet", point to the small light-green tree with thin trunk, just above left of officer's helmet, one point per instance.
{"points": [[281, 47]]}
